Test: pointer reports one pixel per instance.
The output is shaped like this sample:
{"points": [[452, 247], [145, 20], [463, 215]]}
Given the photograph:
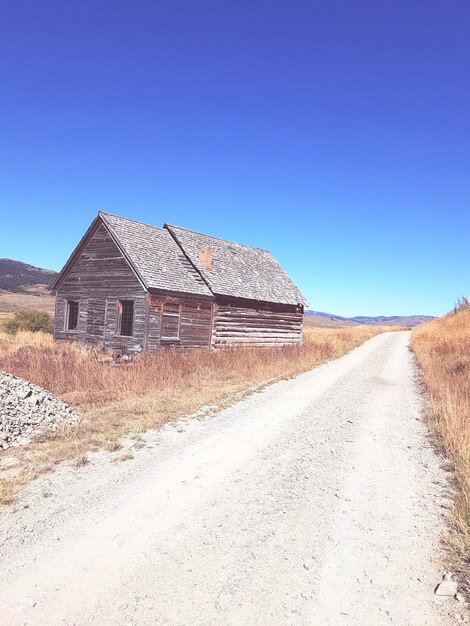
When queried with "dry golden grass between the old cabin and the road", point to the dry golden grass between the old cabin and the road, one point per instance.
{"points": [[129, 399]]}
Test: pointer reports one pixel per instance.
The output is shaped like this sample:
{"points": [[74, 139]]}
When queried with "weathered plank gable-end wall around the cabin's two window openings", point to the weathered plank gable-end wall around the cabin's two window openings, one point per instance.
{"points": [[98, 279]]}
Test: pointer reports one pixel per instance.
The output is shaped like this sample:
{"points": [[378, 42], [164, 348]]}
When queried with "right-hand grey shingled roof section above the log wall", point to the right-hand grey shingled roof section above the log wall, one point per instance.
{"points": [[237, 270]]}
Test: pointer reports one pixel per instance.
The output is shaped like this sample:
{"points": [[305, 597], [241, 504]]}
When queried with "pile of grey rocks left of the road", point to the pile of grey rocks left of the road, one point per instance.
{"points": [[26, 411]]}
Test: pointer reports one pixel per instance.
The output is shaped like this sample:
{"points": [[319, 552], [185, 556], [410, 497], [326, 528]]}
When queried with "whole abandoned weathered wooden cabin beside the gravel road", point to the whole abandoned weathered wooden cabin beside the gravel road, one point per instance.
{"points": [[130, 287]]}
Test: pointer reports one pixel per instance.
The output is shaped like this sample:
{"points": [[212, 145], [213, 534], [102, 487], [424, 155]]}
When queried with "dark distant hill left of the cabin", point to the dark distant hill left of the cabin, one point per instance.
{"points": [[22, 278]]}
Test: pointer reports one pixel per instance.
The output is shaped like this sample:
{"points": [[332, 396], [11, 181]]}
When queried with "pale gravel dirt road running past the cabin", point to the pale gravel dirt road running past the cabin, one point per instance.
{"points": [[316, 501]]}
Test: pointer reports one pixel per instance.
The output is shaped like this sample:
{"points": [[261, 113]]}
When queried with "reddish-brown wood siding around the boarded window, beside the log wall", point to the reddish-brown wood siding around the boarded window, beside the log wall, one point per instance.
{"points": [[195, 324]]}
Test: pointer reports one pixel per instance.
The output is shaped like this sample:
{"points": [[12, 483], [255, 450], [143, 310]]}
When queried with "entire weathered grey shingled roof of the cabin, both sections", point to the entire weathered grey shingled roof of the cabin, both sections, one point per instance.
{"points": [[184, 261]]}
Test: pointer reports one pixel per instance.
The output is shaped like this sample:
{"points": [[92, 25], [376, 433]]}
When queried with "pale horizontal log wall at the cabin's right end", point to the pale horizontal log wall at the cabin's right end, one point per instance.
{"points": [[256, 324]]}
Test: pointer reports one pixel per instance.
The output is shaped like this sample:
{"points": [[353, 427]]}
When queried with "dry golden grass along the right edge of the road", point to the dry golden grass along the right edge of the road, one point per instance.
{"points": [[442, 348]]}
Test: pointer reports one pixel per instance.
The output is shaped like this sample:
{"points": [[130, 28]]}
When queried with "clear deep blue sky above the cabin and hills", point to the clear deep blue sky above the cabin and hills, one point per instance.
{"points": [[334, 133]]}
